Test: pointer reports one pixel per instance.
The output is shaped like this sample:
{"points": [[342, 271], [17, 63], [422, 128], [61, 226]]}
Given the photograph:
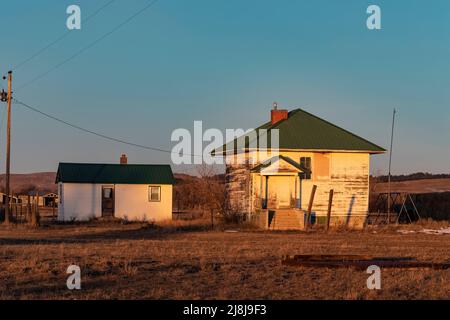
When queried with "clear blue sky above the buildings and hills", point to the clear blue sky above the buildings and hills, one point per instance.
{"points": [[225, 62]]}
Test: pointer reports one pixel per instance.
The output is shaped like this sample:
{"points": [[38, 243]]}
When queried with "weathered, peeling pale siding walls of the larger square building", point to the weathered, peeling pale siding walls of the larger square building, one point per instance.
{"points": [[347, 174]]}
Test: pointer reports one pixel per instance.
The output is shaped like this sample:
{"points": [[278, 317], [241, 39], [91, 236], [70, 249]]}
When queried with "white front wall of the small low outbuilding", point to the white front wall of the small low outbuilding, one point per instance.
{"points": [[82, 201]]}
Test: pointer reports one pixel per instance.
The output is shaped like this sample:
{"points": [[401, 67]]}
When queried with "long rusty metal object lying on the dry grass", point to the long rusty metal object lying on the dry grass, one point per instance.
{"points": [[361, 262]]}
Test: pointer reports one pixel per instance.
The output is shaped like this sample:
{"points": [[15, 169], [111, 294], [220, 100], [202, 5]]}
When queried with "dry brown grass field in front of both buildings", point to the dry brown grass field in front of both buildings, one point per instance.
{"points": [[183, 260]]}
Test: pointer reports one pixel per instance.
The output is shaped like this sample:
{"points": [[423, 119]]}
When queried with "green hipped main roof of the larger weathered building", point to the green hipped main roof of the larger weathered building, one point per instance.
{"points": [[305, 131]]}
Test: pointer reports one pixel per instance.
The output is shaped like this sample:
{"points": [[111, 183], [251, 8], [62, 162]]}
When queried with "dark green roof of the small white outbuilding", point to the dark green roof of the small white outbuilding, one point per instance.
{"points": [[114, 173]]}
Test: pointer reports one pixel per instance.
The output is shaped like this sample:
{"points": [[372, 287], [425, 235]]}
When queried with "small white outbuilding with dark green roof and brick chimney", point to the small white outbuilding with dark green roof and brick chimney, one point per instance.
{"points": [[127, 191]]}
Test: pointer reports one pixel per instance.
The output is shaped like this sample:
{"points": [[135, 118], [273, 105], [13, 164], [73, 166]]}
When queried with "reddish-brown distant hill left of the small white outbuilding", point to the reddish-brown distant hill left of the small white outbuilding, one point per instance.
{"points": [[42, 182]]}
